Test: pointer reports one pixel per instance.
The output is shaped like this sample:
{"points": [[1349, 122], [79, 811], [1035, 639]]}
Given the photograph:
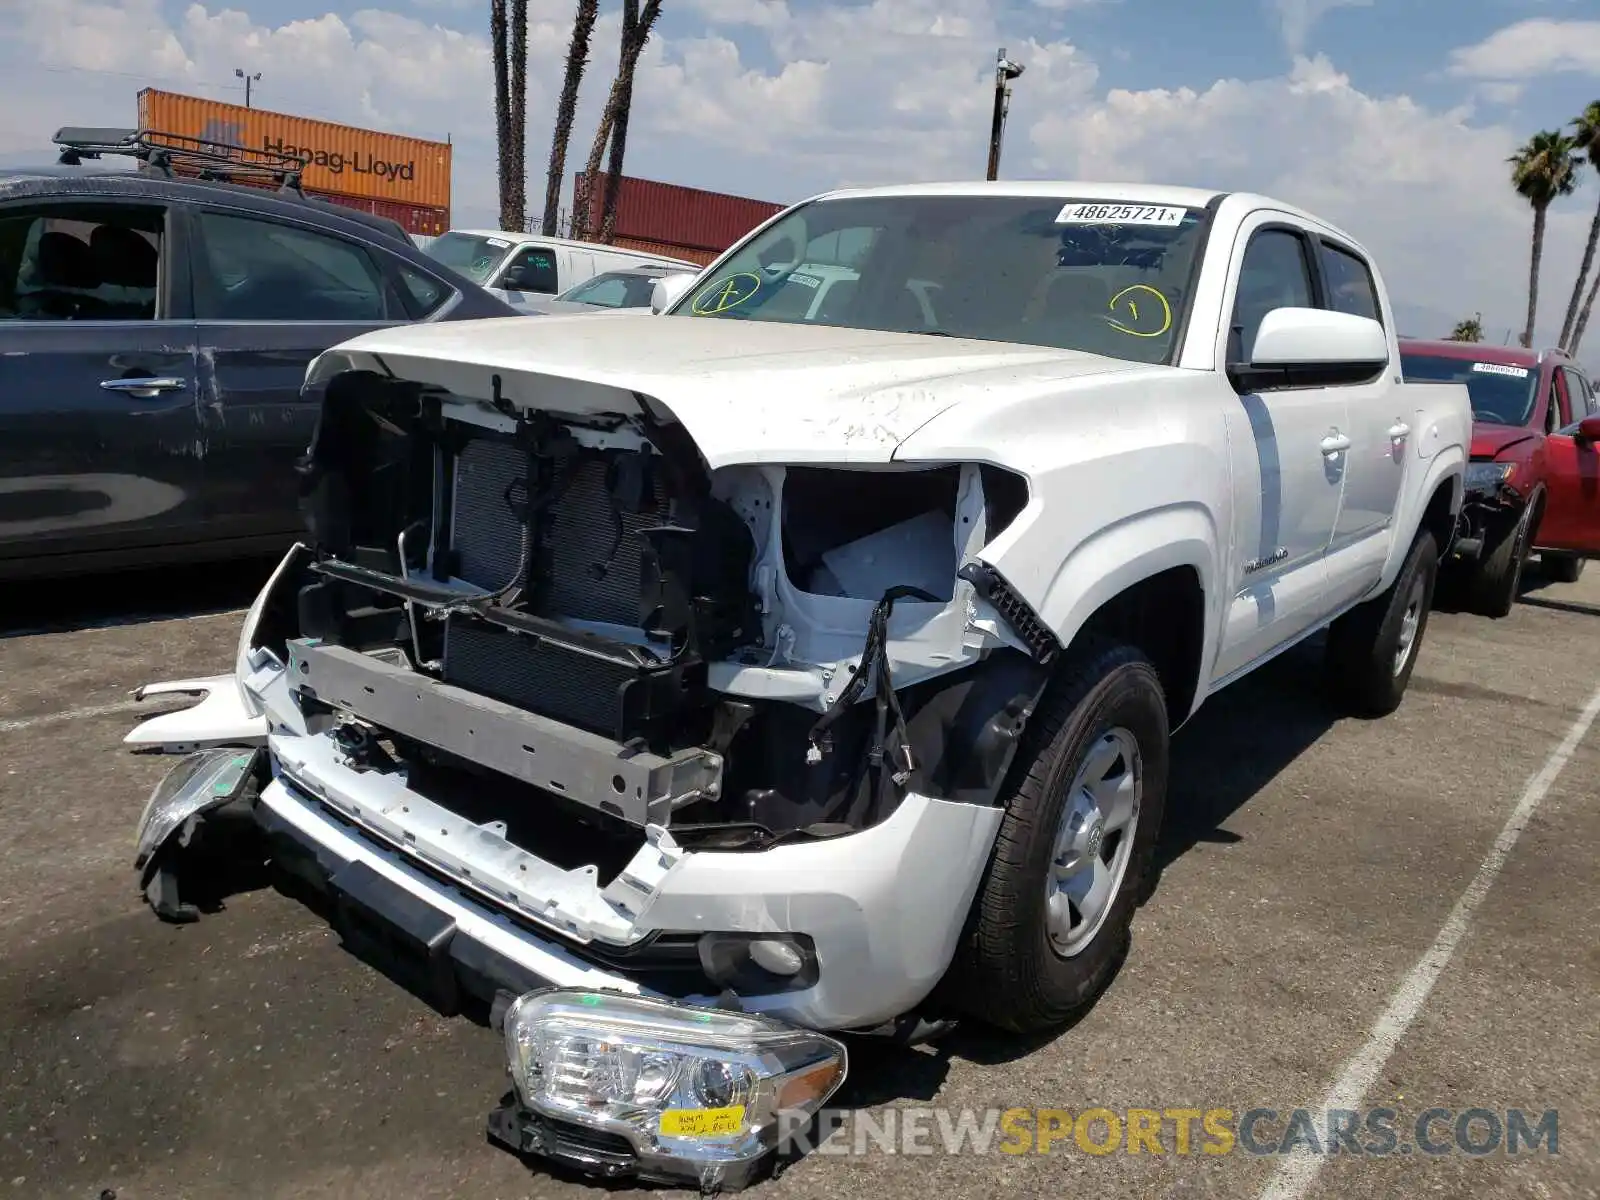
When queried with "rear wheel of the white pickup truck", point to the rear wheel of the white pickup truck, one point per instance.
{"points": [[1362, 663]]}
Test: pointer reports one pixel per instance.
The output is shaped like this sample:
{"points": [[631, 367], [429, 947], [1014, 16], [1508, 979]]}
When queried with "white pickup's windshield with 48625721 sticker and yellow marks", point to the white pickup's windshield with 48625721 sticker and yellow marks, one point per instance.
{"points": [[1086, 276]]}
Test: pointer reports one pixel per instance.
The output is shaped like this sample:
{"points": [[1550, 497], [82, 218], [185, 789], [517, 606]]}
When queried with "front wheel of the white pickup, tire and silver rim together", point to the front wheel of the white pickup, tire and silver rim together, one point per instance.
{"points": [[1054, 914]]}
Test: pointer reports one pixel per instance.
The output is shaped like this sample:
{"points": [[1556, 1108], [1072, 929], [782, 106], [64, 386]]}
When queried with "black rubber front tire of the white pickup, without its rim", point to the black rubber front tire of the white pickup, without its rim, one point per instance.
{"points": [[1007, 972]]}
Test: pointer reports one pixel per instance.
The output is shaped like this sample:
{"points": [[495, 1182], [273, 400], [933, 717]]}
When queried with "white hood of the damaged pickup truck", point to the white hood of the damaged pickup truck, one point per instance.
{"points": [[745, 391]]}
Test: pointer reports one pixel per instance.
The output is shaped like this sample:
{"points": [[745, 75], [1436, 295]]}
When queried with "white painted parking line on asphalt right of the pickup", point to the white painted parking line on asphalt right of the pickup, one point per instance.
{"points": [[1298, 1172]]}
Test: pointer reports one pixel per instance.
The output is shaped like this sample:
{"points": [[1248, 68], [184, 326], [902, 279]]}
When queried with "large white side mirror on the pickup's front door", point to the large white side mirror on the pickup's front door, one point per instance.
{"points": [[1313, 348]]}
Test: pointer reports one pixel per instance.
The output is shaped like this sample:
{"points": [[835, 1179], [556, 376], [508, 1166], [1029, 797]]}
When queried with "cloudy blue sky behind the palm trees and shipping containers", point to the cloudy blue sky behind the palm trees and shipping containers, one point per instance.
{"points": [[780, 103]]}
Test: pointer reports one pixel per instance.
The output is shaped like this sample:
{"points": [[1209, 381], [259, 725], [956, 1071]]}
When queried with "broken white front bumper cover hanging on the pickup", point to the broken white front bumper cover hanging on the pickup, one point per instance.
{"points": [[882, 910]]}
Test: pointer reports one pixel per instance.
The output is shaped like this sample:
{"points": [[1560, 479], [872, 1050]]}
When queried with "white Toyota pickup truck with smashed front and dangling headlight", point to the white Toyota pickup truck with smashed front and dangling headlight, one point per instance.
{"points": [[692, 690]]}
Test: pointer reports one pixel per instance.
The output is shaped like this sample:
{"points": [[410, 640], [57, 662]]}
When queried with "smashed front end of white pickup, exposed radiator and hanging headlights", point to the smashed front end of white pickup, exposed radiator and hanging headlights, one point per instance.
{"points": [[679, 769]]}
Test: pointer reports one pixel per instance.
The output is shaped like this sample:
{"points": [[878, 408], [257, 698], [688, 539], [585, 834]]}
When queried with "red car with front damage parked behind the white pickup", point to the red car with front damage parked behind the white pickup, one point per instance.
{"points": [[1535, 476]]}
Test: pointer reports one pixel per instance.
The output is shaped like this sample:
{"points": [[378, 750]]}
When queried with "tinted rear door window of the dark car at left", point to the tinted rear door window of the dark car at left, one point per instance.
{"points": [[252, 270]]}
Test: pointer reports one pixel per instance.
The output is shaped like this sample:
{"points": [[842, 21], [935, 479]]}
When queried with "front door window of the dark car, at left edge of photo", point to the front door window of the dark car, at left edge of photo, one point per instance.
{"points": [[81, 263]]}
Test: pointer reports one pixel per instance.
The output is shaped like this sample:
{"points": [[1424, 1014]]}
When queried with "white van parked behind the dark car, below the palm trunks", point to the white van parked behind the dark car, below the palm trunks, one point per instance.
{"points": [[522, 266]]}
